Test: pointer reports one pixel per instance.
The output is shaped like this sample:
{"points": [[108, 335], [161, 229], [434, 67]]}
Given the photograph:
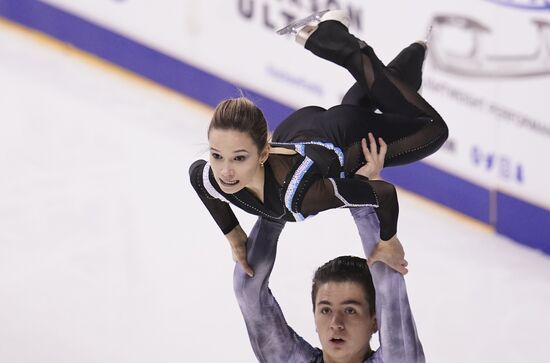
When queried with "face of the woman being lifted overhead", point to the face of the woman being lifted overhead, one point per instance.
{"points": [[234, 159]]}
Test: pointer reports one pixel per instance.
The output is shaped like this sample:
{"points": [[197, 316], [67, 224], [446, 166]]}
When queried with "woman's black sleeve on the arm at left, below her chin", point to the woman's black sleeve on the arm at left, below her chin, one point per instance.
{"points": [[220, 210]]}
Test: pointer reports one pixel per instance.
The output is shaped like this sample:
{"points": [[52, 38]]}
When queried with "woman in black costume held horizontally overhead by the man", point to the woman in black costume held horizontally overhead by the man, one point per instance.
{"points": [[319, 159]]}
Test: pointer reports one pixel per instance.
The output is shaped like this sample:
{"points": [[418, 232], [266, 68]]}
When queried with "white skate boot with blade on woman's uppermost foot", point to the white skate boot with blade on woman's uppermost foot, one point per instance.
{"points": [[304, 27]]}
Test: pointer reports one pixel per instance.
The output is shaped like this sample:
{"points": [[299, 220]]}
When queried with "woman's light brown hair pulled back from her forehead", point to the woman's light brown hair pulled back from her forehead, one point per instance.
{"points": [[242, 115]]}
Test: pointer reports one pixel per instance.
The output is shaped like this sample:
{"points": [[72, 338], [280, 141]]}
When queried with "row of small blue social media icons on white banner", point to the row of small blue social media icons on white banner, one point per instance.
{"points": [[502, 165]]}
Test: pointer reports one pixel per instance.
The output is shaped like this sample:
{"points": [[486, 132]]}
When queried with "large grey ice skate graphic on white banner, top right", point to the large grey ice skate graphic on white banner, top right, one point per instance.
{"points": [[457, 46]]}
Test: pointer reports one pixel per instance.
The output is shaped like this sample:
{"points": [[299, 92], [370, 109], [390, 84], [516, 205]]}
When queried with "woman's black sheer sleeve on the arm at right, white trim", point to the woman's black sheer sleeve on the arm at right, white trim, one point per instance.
{"points": [[357, 192]]}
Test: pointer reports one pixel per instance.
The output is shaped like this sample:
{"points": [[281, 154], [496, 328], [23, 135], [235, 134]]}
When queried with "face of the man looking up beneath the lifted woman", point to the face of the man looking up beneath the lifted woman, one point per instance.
{"points": [[343, 321]]}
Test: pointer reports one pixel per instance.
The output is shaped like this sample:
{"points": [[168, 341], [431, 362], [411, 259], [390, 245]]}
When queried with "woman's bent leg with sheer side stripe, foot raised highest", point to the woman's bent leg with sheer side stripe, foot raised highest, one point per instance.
{"points": [[332, 41]]}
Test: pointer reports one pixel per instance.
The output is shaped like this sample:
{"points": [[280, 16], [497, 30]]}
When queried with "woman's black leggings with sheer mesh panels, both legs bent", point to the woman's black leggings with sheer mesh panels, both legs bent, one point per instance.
{"points": [[407, 123]]}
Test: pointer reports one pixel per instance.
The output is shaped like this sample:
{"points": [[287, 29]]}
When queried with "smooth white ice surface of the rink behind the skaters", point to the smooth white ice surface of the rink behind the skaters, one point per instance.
{"points": [[106, 254]]}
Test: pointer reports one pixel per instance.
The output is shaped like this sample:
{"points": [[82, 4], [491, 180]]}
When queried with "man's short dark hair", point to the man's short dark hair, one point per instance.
{"points": [[345, 269]]}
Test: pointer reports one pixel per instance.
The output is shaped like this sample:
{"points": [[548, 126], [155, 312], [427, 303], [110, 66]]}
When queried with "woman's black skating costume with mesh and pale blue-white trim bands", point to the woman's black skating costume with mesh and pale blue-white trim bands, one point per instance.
{"points": [[321, 175]]}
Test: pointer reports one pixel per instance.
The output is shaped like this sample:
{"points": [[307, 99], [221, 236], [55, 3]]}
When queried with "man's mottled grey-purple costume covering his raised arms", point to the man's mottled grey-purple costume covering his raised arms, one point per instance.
{"points": [[273, 341]]}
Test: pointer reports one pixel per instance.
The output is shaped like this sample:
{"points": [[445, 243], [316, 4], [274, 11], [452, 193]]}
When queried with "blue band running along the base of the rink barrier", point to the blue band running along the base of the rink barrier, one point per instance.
{"points": [[522, 221]]}
